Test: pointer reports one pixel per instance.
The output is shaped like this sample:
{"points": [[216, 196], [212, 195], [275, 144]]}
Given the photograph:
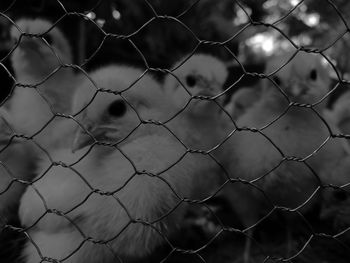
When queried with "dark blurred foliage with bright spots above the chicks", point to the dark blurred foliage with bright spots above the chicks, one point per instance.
{"points": [[313, 23]]}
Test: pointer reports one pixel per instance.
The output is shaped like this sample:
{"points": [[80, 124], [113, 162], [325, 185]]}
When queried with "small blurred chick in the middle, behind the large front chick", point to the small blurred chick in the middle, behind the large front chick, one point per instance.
{"points": [[200, 75]]}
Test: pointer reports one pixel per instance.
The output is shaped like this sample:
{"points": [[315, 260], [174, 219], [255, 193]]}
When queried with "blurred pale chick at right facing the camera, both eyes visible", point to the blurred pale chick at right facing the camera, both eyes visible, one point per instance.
{"points": [[298, 133]]}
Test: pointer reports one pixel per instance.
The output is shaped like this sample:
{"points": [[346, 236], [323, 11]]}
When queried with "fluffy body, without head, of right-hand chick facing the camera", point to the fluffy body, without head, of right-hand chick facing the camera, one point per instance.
{"points": [[292, 182]]}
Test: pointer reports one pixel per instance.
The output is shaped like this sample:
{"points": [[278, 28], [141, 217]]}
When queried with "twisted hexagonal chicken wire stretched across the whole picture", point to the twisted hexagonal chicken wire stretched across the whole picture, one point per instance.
{"points": [[199, 252]]}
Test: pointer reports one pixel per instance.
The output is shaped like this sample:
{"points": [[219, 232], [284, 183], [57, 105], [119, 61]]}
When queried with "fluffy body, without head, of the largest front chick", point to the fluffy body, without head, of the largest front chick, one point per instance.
{"points": [[102, 217]]}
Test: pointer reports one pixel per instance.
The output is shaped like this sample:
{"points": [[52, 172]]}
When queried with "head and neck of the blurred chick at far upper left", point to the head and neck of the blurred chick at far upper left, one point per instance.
{"points": [[35, 62]]}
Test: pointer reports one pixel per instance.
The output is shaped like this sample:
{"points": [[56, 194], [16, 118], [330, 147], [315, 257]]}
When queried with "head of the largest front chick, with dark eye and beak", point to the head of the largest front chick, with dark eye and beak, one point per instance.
{"points": [[122, 102]]}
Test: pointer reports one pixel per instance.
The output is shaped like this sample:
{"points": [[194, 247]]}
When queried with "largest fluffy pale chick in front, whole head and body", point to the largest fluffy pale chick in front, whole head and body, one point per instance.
{"points": [[128, 196]]}
